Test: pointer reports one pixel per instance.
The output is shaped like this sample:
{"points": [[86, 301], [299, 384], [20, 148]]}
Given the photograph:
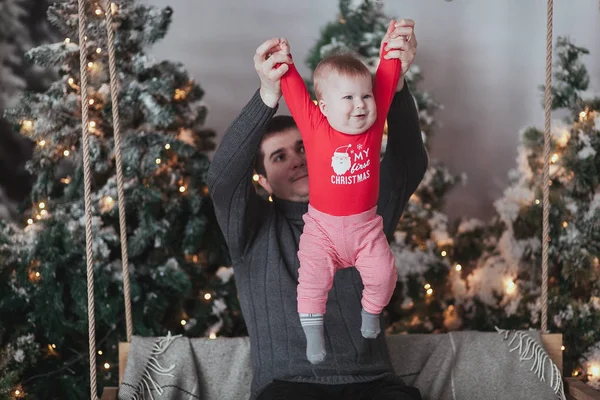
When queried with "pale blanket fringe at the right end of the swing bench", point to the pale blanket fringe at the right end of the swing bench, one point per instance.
{"points": [[529, 349]]}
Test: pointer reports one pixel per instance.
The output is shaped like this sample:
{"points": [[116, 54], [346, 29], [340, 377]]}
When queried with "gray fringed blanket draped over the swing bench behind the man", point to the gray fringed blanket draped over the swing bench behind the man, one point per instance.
{"points": [[453, 366]]}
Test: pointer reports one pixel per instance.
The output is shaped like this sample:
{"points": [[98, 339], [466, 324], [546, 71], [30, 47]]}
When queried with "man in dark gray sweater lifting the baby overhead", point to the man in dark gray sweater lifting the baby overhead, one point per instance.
{"points": [[263, 241]]}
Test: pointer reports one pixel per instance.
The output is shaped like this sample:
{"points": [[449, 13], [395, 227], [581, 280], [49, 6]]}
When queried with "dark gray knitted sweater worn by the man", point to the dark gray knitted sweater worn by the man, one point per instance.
{"points": [[263, 240]]}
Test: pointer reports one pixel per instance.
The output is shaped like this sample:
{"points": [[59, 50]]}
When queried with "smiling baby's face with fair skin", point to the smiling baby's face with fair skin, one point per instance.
{"points": [[348, 103]]}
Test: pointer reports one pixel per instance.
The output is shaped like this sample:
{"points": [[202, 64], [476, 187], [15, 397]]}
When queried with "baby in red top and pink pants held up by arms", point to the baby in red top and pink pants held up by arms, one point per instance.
{"points": [[342, 137]]}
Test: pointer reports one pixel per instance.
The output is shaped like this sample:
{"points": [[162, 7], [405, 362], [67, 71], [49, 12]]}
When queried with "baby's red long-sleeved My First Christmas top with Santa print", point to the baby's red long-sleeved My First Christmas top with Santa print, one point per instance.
{"points": [[343, 169]]}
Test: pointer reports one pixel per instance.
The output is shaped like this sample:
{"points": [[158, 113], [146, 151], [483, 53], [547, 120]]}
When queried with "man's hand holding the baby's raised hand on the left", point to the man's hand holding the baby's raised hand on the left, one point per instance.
{"points": [[271, 62]]}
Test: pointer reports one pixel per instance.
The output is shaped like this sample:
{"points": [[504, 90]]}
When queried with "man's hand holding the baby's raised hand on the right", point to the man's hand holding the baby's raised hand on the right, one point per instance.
{"points": [[401, 43]]}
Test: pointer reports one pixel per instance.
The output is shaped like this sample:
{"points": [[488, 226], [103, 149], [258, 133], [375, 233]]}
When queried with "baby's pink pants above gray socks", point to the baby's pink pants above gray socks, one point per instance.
{"points": [[329, 243]]}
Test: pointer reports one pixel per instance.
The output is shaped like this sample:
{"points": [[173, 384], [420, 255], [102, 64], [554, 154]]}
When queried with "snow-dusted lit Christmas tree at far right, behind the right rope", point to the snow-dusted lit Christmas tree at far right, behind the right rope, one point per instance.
{"points": [[500, 280]]}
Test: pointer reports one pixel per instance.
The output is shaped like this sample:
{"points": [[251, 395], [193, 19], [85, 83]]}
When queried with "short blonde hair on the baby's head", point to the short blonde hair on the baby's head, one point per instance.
{"points": [[346, 65]]}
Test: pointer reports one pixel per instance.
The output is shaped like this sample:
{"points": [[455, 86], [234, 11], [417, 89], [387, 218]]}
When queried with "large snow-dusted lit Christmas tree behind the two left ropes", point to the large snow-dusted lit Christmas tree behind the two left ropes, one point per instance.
{"points": [[176, 252]]}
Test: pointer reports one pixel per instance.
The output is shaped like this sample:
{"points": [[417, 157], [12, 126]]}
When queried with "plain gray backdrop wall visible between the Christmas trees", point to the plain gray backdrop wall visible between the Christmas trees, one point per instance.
{"points": [[482, 59]]}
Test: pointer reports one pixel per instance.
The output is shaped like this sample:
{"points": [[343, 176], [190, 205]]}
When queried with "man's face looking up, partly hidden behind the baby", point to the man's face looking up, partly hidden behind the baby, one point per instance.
{"points": [[285, 166]]}
